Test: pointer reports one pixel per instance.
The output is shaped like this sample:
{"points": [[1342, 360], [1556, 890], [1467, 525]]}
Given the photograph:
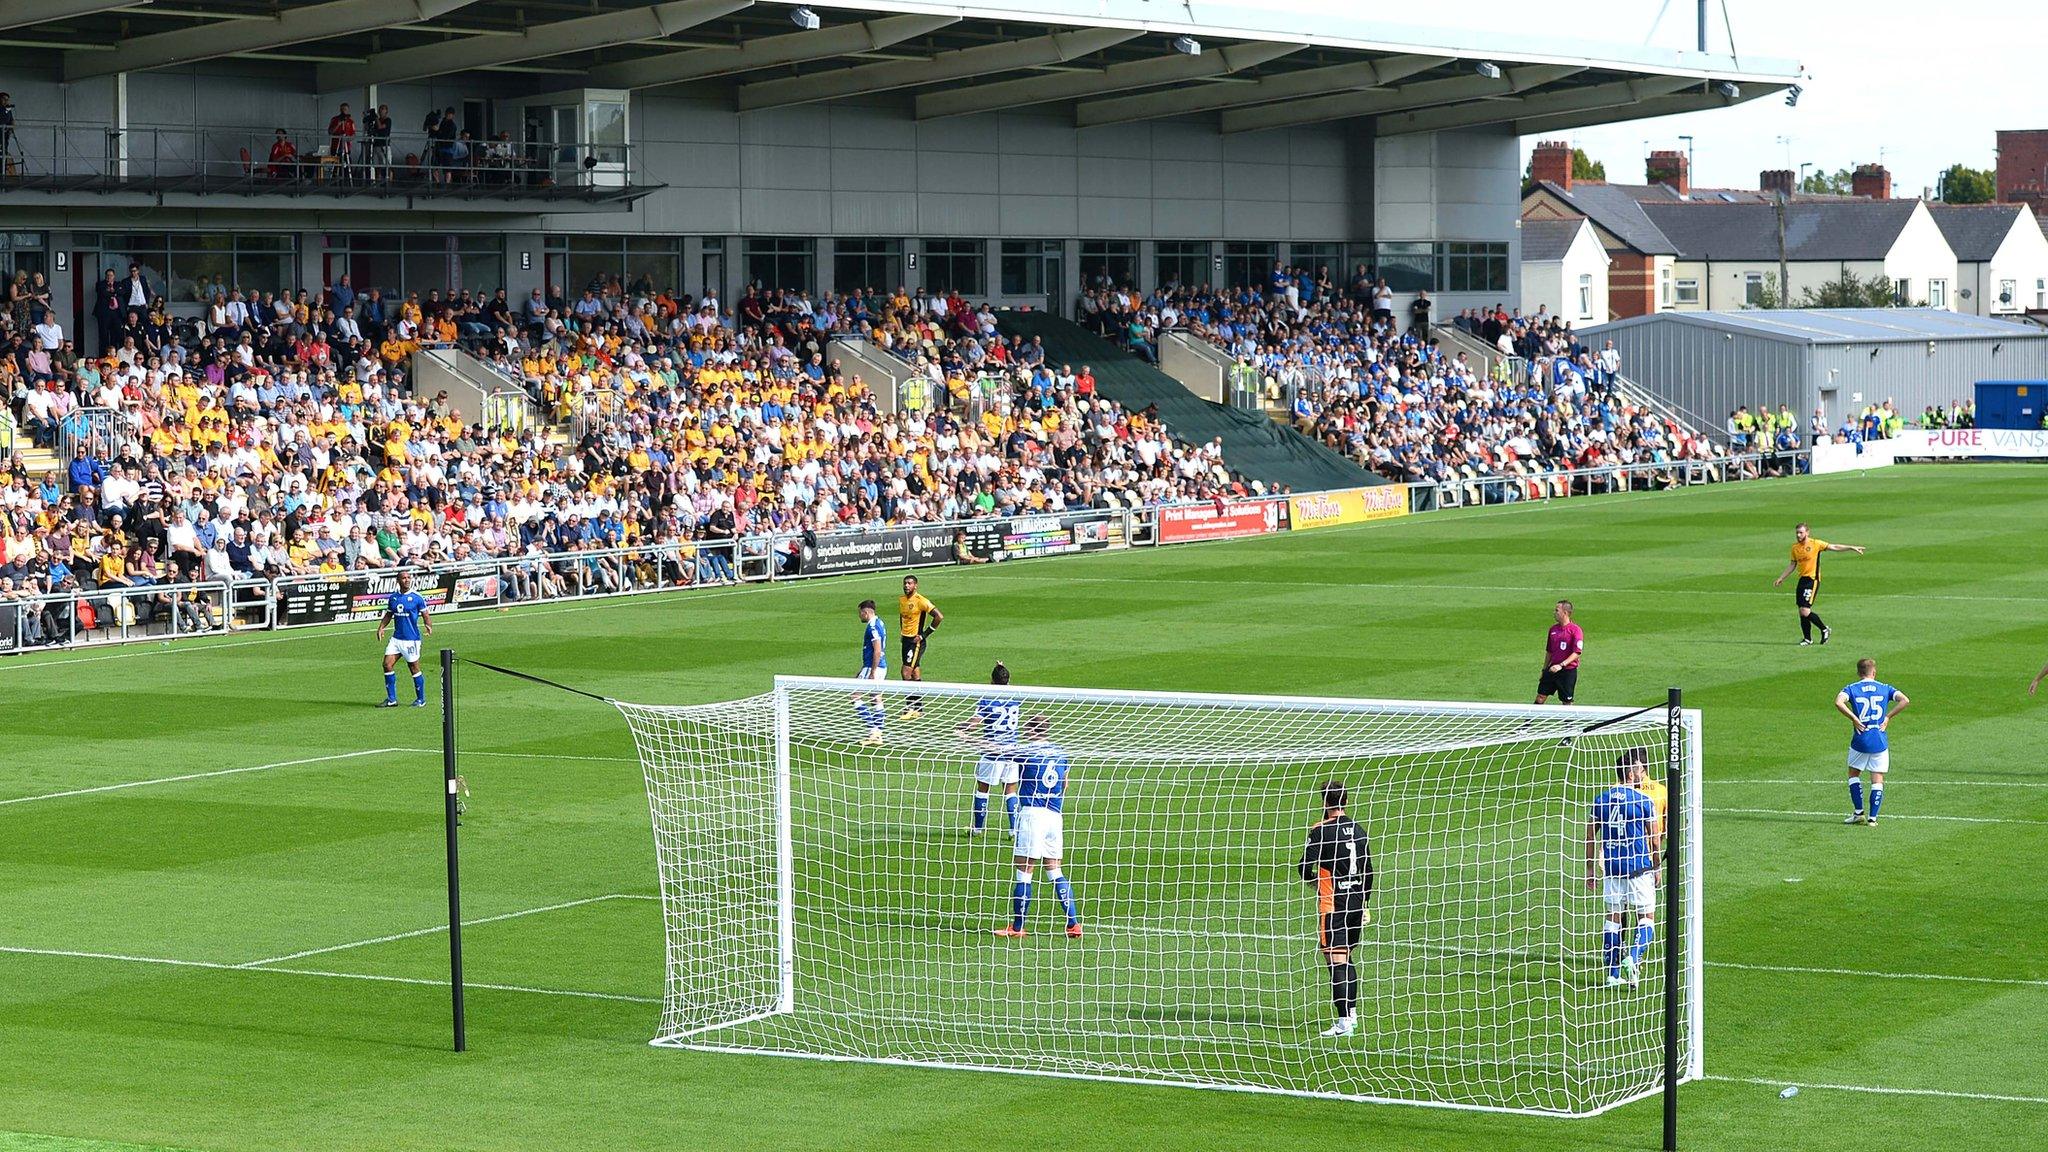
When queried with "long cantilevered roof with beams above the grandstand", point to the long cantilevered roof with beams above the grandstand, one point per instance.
{"points": [[1103, 60]]}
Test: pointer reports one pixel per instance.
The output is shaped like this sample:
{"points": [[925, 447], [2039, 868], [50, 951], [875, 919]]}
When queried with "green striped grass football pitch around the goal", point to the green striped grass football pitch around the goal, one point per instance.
{"points": [[222, 866]]}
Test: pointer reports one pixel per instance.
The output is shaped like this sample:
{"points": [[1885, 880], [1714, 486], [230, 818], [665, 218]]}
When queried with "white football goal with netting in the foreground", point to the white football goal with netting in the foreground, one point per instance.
{"points": [[824, 897]]}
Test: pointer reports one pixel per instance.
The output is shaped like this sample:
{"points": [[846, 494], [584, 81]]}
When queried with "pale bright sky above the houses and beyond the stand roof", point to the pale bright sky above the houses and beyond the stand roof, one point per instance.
{"points": [[1914, 87]]}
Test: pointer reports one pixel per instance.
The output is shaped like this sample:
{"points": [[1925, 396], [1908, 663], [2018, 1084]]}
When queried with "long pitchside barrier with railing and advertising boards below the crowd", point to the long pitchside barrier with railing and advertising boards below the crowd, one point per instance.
{"points": [[210, 608]]}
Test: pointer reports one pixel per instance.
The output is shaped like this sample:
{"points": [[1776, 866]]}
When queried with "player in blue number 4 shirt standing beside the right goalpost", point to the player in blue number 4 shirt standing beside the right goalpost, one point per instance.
{"points": [[1623, 858]]}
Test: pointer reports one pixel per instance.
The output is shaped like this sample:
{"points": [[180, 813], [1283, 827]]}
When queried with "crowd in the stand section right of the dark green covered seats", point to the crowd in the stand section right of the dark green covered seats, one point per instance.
{"points": [[1359, 370]]}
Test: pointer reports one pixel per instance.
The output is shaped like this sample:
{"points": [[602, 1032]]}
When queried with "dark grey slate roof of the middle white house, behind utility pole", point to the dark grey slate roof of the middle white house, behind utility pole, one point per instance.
{"points": [[1816, 231]]}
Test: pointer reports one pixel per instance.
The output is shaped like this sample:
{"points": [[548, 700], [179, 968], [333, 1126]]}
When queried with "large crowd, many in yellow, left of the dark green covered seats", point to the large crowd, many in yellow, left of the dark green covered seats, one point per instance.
{"points": [[278, 436]]}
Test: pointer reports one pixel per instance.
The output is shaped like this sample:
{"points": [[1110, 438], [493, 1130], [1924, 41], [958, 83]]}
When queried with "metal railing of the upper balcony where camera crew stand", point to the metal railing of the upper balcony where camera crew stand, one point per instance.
{"points": [[95, 157]]}
